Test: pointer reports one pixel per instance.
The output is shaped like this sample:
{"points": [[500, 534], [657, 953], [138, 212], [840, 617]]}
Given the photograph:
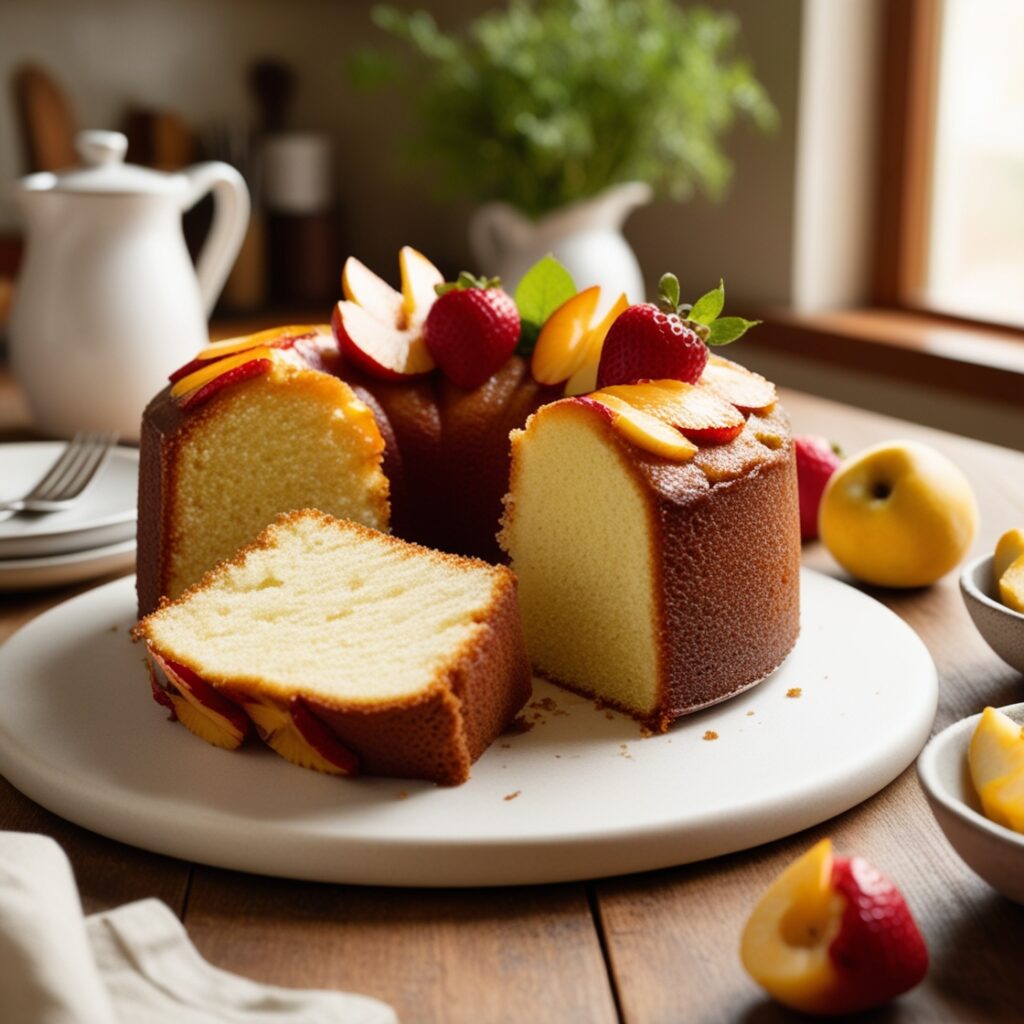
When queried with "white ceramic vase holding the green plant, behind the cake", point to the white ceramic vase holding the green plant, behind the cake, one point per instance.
{"points": [[586, 237]]}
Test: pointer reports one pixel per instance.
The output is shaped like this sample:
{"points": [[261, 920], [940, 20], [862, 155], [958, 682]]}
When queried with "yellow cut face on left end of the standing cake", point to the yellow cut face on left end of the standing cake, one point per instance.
{"points": [[282, 443]]}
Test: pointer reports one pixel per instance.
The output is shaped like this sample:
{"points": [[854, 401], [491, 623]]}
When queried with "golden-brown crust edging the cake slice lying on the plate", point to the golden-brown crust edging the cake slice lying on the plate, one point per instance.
{"points": [[435, 735]]}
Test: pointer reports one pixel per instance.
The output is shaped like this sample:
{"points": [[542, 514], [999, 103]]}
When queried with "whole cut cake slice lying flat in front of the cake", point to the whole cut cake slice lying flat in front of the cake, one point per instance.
{"points": [[349, 651]]}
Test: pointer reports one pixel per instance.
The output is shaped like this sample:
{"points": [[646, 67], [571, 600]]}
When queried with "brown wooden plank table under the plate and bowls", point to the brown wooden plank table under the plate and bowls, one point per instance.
{"points": [[660, 947]]}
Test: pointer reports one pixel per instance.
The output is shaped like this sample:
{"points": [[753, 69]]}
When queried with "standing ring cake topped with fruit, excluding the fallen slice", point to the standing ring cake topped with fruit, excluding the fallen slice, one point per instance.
{"points": [[648, 499]]}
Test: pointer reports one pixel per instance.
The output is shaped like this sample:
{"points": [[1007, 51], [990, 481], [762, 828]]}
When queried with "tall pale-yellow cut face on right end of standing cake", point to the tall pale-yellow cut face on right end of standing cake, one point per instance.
{"points": [[581, 546]]}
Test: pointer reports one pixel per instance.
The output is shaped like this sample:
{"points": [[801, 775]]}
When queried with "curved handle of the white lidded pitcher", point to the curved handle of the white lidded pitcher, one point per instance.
{"points": [[231, 220]]}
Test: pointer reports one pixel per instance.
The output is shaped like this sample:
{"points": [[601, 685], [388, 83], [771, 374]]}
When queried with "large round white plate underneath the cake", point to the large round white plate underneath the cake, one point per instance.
{"points": [[579, 796]]}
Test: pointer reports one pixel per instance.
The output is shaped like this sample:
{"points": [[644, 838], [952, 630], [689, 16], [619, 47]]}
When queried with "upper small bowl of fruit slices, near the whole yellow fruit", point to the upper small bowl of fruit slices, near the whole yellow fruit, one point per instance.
{"points": [[994, 591]]}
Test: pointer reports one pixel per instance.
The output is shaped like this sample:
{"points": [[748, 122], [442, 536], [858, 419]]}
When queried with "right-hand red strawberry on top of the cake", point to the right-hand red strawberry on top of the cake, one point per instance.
{"points": [[654, 343]]}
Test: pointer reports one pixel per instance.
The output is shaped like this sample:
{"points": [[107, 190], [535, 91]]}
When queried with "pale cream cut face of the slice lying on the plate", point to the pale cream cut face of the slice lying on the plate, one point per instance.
{"points": [[330, 610]]}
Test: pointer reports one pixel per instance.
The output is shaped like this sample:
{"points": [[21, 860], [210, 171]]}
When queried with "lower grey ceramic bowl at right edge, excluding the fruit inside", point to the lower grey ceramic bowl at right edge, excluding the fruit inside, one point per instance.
{"points": [[993, 851]]}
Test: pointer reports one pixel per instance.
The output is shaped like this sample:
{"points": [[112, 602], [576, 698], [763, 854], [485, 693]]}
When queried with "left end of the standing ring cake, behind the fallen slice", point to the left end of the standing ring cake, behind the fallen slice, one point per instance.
{"points": [[247, 436]]}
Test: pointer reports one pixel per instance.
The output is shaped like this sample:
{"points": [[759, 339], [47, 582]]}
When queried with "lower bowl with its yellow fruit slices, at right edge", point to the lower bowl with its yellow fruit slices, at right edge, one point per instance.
{"points": [[973, 776]]}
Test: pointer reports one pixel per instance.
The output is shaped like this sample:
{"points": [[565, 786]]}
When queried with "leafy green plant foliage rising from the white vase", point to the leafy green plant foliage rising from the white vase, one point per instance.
{"points": [[549, 102]]}
